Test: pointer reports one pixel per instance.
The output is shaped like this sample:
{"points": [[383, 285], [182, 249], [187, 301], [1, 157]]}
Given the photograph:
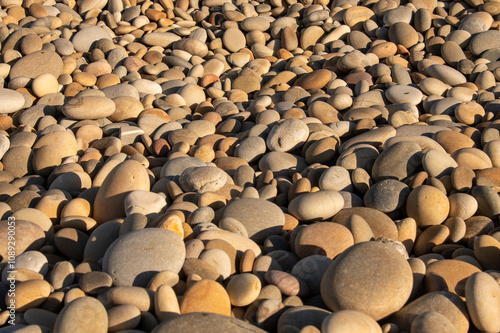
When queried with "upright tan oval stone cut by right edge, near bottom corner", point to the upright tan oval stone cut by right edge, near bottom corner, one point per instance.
{"points": [[482, 298]]}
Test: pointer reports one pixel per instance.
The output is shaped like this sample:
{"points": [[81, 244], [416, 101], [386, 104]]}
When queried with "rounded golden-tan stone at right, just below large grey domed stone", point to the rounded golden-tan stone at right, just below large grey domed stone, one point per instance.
{"points": [[427, 205]]}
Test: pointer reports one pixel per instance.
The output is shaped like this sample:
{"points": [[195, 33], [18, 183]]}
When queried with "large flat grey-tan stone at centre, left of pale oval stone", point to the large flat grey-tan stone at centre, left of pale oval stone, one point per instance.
{"points": [[260, 218]]}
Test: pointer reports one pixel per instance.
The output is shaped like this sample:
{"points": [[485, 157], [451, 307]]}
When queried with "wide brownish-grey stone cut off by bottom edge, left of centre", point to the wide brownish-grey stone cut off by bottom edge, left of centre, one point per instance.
{"points": [[206, 322]]}
